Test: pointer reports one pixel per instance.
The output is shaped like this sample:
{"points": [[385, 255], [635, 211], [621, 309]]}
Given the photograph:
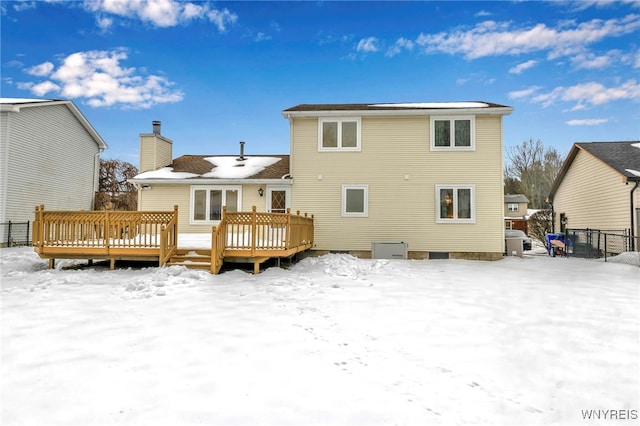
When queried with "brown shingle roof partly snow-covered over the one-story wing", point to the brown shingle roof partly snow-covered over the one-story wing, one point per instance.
{"points": [[224, 167]]}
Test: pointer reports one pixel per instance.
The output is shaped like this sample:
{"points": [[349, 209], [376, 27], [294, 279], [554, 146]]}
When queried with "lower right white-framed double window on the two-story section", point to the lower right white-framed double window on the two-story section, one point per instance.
{"points": [[455, 203]]}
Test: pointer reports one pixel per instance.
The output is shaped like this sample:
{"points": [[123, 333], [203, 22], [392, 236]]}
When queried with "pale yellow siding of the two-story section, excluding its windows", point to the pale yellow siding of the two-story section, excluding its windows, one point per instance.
{"points": [[401, 171]]}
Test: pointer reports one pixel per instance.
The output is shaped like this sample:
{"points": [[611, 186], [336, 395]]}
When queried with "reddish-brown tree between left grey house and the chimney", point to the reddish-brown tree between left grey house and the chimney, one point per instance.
{"points": [[114, 190]]}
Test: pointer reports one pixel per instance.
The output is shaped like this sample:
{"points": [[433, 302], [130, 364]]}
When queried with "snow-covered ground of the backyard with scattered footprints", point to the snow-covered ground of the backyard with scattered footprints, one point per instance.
{"points": [[332, 340]]}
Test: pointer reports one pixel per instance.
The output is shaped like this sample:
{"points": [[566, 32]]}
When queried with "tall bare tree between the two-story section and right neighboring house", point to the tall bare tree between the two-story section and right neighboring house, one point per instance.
{"points": [[531, 171]]}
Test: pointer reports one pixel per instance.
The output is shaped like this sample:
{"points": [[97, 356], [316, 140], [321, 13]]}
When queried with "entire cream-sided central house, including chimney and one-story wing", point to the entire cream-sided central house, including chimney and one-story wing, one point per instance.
{"points": [[429, 175]]}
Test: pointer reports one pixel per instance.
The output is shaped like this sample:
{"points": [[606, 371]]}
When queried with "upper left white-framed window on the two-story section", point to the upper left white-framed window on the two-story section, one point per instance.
{"points": [[339, 134]]}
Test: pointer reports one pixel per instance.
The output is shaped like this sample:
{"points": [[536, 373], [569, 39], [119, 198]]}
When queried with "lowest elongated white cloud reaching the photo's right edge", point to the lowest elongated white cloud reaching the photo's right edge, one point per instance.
{"points": [[591, 93]]}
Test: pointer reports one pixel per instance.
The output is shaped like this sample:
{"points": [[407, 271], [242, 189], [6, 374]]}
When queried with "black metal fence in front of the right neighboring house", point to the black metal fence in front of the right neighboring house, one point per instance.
{"points": [[596, 243]]}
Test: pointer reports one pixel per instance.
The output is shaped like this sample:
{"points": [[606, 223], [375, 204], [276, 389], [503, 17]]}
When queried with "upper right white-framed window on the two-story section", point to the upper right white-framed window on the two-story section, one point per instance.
{"points": [[452, 133]]}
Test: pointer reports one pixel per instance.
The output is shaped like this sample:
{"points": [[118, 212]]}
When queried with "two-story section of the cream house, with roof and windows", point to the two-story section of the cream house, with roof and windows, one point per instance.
{"points": [[427, 175]]}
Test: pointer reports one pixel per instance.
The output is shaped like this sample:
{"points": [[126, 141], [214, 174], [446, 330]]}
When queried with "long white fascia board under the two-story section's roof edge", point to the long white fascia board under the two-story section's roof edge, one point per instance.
{"points": [[399, 113]]}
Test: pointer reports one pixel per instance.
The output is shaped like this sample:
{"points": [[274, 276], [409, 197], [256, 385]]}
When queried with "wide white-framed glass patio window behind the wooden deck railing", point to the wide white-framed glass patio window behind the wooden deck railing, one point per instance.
{"points": [[207, 202]]}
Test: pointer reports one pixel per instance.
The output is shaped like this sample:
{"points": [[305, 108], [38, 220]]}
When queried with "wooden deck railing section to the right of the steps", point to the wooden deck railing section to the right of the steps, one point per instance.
{"points": [[257, 236]]}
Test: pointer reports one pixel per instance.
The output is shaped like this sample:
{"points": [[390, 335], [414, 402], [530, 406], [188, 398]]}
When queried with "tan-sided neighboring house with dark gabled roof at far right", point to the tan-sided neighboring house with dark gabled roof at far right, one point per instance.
{"points": [[597, 188]]}
